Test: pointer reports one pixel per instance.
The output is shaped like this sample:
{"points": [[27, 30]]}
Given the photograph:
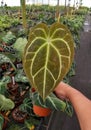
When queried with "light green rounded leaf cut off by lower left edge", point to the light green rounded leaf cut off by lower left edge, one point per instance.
{"points": [[5, 103]]}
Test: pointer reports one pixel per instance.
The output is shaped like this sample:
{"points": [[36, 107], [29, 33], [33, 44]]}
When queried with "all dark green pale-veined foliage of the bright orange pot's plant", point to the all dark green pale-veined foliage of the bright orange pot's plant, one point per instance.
{"points": [[53, 103]]}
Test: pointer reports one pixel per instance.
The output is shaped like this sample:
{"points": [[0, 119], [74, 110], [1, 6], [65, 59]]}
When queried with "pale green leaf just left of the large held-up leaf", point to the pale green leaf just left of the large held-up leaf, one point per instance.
{"points": [[19, 45]]}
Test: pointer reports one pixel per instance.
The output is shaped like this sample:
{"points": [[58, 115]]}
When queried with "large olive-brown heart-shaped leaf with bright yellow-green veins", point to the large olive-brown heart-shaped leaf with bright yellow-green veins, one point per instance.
{"points": [[48, 56]]}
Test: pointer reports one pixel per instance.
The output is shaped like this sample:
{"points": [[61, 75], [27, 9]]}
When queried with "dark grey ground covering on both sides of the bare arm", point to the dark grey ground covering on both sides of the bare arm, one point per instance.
{"points": [[81, 81]]}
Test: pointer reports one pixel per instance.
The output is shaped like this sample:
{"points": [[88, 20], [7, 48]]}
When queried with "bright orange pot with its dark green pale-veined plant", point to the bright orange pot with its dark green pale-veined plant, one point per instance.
{"points": [[42, 109]]}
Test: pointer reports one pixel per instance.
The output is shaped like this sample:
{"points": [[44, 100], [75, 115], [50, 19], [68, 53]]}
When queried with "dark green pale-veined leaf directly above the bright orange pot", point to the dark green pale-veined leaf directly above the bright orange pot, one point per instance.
{"points": [[51, 102]]}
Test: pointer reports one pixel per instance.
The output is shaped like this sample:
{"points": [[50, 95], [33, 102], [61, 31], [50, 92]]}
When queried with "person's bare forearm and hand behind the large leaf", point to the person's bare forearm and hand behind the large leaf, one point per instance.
{"points": [[81, 104]]}
